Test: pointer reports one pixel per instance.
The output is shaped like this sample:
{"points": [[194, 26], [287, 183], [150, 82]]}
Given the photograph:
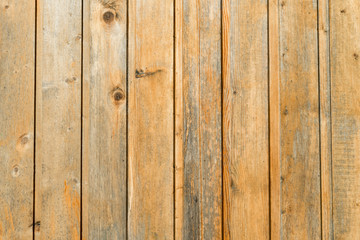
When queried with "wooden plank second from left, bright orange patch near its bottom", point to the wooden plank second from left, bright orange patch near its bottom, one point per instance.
{"points": [[58, 120]]}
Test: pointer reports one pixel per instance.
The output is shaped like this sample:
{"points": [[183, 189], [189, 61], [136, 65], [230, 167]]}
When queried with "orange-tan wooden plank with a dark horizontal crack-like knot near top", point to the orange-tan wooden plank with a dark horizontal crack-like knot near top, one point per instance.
{"points": [[151, 120]]}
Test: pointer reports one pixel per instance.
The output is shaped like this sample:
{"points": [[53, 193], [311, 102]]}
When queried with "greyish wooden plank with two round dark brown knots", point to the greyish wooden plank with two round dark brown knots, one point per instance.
{"points": [[104, 122]]}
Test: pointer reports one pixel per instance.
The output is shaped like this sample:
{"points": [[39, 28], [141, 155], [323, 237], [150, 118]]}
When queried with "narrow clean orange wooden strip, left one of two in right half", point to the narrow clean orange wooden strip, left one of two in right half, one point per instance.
{"points": [[274, 113]]}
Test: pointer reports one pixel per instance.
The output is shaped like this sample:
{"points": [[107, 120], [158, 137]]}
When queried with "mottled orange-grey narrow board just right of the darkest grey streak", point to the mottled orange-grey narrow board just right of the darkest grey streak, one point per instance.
{"points": [[210, 119]]}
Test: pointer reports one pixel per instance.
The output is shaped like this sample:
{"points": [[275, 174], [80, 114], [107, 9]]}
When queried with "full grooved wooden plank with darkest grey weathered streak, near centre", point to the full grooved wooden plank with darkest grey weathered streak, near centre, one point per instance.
{"points": [[199, 85]]}
